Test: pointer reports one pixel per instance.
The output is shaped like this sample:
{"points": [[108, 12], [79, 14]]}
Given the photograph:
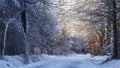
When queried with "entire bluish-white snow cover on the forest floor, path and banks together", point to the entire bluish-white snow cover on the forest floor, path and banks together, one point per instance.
{"points": [[52, 61]]}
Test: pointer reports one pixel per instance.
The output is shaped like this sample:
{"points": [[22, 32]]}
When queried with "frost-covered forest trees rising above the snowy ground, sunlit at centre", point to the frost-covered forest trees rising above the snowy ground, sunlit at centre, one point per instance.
{"points": [[59, 27]]}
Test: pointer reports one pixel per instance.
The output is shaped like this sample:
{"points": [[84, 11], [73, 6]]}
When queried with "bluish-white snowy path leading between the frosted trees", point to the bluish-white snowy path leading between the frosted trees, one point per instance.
{"points": [[79, 61]]}
